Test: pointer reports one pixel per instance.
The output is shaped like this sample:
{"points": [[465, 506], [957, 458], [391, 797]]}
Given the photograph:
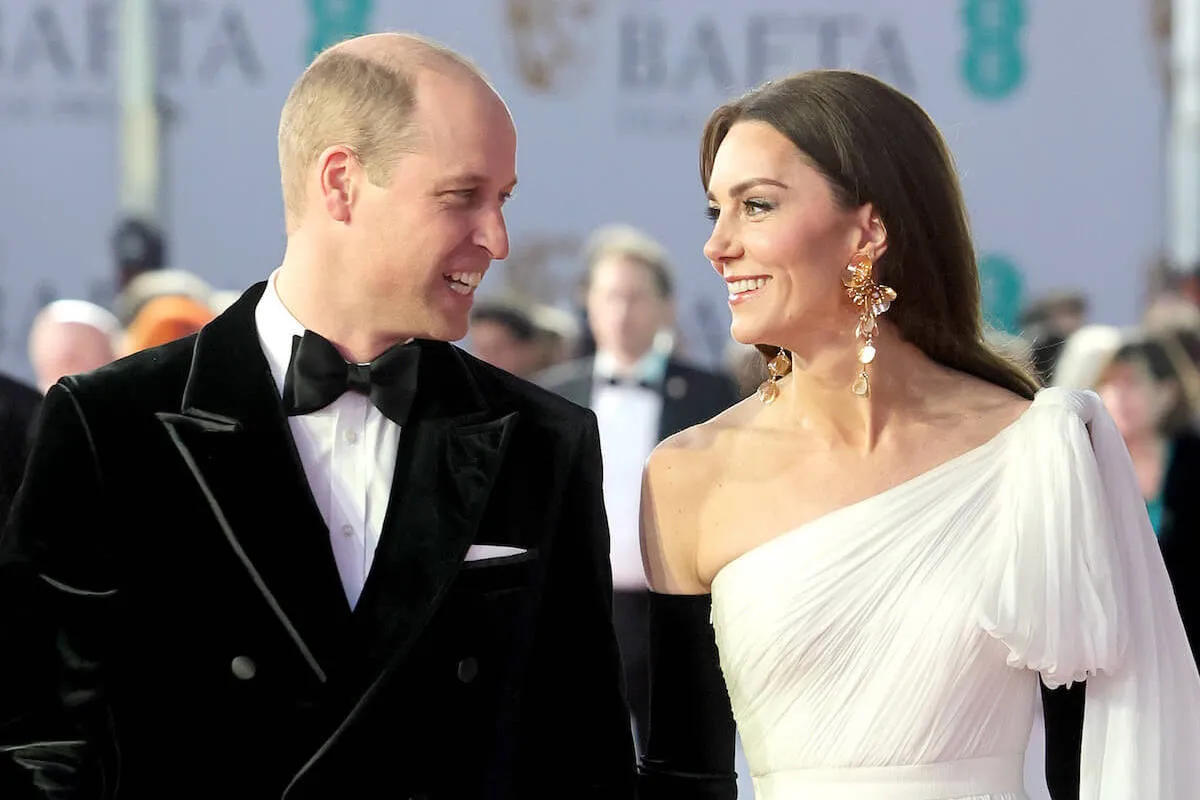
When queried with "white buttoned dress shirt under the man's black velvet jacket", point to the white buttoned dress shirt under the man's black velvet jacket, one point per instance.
{"points": [[349, 452]]}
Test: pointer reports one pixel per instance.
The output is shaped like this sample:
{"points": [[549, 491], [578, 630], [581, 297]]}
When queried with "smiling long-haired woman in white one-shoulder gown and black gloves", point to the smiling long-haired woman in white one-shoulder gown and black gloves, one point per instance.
{"points": [[897, 537]]}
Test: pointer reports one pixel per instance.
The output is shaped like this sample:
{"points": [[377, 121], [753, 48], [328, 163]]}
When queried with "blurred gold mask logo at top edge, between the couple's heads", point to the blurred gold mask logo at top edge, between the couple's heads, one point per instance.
{"points": [[551, 39]]}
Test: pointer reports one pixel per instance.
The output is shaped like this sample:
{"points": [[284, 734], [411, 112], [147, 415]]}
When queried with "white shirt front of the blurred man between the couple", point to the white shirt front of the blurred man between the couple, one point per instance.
{"points": [[629, 417]]}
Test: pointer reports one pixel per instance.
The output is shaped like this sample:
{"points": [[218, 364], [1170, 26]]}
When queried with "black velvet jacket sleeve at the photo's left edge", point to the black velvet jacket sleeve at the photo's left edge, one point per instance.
{"points": [[58, 576]]}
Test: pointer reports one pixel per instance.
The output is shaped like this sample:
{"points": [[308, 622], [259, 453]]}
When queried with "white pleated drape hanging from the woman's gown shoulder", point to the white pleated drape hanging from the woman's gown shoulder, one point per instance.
{"points": [[1077, 591]]}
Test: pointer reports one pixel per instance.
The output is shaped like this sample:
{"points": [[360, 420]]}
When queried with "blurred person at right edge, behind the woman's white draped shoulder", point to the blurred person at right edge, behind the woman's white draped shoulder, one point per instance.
{"points": [[1145, 390]]}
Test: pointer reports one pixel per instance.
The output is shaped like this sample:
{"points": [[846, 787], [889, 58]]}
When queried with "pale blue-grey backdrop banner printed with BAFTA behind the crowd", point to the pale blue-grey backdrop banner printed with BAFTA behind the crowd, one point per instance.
{"points": [[1053, 110]]}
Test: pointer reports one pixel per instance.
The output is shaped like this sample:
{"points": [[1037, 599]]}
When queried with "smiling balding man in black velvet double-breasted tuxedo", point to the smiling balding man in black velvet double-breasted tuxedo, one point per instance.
{"points": [[303, 560]]}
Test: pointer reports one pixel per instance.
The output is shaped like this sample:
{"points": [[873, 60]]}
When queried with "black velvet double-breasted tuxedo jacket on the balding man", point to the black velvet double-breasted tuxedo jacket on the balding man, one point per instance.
{"points": [[206, 645]]}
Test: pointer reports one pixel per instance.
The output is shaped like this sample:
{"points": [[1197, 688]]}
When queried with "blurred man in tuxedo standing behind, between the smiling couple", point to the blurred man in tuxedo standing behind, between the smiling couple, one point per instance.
{"points": [[641, 396]]}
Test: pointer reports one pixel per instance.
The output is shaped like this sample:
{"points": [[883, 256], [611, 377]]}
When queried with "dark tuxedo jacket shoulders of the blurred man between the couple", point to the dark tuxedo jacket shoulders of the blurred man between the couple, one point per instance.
{"points": [[691, 396]]}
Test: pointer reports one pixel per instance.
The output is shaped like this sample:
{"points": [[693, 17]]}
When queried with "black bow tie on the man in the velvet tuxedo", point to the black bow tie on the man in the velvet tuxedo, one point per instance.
{"points": [[319, 376]]}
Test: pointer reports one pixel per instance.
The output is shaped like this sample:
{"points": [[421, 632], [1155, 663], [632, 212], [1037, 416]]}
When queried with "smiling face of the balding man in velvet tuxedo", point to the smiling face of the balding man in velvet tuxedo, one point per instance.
{"points": [[428, 238]]}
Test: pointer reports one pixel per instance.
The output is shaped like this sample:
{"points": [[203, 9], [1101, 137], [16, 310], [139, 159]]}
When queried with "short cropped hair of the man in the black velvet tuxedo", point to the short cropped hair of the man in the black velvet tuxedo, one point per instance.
{"points": [[363, 103]]}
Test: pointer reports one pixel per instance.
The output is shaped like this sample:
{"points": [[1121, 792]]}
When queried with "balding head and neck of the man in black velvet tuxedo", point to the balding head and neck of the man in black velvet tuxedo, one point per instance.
{"points": [[397, 158]]}
